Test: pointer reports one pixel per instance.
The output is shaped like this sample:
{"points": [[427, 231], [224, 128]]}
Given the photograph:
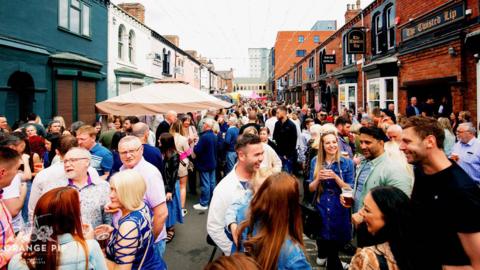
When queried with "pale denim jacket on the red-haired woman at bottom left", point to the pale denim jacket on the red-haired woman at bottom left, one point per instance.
{"points": [[71, 255]]}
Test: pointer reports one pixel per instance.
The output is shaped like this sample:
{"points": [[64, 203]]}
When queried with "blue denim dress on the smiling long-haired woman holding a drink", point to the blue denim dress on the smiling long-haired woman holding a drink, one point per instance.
{"points": [[336, 223]]}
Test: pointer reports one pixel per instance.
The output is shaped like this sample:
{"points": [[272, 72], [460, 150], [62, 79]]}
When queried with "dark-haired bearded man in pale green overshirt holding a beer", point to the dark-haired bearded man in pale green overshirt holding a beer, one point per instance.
{"points": [[377, 169]]}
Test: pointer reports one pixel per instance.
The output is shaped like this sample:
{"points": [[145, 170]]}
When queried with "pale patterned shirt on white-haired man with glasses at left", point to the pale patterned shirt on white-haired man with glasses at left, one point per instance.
{"points": [[93, 198]]}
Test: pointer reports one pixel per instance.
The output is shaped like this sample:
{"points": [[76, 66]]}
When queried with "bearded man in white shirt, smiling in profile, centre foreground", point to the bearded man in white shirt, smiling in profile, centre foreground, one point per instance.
{"points": [[249, 149]]}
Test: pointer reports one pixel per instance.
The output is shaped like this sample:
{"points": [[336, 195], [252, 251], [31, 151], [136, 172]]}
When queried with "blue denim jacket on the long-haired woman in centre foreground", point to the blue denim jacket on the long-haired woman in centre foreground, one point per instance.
{"points": [[291, 254]]}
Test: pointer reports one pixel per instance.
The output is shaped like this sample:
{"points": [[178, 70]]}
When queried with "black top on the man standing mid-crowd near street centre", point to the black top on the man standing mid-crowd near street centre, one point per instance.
{"points": [[285, 136]]}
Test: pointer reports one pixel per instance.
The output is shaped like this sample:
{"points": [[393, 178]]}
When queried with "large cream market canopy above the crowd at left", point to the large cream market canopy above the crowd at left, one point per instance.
{"points": [[159, 98]]}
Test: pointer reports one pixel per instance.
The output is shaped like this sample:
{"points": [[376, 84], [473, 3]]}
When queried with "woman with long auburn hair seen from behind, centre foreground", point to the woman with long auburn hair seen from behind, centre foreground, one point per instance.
{"points": [[272, 233]]}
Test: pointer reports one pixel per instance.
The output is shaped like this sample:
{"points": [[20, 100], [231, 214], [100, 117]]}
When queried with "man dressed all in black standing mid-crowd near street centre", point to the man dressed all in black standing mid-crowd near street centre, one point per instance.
{"points": [[285, 136]]}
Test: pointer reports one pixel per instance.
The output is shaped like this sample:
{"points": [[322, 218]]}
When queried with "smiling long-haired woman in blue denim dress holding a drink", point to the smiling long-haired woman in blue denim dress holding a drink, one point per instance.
{"points": [[329, 174]]}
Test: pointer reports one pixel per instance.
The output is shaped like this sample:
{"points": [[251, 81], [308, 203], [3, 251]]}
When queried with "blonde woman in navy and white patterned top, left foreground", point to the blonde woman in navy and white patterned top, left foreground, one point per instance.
{"points": [[131, 242]]}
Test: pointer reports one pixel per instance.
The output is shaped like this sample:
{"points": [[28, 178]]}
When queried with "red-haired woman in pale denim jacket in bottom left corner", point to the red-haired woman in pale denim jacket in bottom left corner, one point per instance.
{"points": [[58, 237]]}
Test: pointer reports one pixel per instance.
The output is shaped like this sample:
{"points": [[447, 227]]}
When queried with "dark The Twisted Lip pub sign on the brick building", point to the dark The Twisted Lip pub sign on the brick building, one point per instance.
{"points": [[436, 20]]}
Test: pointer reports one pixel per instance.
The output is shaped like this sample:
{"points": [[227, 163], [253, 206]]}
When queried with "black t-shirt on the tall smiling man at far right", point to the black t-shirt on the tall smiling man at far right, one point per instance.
{"points": [[444, 204]]}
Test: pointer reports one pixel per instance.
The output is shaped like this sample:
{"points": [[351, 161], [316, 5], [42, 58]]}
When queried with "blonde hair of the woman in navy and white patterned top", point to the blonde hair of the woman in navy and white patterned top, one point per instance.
{"points": [[130, 188]]}
